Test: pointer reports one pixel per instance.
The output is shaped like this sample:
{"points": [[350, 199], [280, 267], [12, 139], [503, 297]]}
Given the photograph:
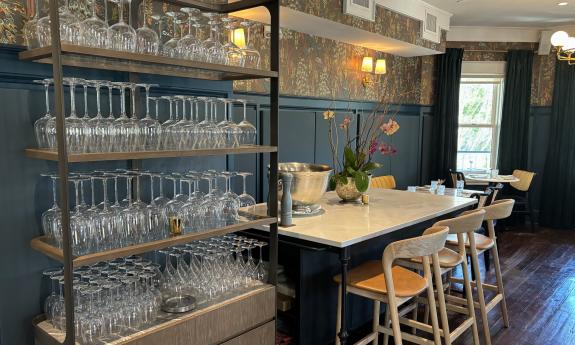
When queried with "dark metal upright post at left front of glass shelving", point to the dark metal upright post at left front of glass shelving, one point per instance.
{"points": [[62, 168]]}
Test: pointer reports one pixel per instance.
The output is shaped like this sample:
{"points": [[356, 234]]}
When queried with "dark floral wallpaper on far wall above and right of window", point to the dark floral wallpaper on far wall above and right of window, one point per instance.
{"points": [[543, 65]]}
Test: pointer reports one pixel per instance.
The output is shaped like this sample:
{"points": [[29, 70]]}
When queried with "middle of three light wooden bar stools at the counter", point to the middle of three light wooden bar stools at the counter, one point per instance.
{"points": [[459, 227]]}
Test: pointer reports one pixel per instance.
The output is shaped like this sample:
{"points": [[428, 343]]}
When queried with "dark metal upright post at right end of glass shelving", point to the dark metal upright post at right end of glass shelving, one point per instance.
{"points": [[274, 9]]}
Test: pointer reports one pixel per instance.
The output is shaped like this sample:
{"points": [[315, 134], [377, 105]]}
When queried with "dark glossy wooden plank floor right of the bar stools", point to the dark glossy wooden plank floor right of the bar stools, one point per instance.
{"points": [[539, 279]]}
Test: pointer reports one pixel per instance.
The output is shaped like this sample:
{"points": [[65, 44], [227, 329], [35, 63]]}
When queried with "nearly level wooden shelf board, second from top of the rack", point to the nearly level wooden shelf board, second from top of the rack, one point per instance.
{"points": [[52, 155]]}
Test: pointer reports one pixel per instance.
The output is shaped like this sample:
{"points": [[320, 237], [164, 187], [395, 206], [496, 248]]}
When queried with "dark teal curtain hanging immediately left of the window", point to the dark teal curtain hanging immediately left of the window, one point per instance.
{"points": [[445, 117]]}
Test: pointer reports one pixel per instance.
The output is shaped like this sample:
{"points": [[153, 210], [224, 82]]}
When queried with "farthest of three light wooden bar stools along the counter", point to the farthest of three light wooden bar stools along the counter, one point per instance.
{"points": [[478, 244]]}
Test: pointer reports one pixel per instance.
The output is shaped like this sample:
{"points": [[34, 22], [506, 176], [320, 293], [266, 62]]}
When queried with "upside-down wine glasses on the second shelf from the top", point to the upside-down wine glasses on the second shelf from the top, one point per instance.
{"points": [[123, 133]]}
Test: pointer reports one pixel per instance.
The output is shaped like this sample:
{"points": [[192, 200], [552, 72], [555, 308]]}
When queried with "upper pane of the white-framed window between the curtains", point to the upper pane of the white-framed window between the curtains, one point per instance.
{"points": [[476, 103]]}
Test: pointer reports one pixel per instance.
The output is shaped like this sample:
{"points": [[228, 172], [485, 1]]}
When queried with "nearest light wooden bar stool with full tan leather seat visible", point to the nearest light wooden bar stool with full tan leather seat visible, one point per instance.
{"points": [[381, 281]]}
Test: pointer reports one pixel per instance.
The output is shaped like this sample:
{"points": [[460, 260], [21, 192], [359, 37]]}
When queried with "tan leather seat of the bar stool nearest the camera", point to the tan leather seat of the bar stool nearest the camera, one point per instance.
{"points": [[369, 276]]}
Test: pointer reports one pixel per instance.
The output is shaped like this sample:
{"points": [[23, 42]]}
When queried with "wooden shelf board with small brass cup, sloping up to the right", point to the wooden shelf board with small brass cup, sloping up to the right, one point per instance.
{"points": [[41, 245]]}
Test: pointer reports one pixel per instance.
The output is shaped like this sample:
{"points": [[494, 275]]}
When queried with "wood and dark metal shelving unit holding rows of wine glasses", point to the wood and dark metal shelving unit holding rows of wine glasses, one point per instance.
{"points": [[193, 327]]}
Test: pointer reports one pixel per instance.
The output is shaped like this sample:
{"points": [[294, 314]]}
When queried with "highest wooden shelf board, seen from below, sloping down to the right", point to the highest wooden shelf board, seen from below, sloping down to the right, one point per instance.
{"points": [[106, 59]]}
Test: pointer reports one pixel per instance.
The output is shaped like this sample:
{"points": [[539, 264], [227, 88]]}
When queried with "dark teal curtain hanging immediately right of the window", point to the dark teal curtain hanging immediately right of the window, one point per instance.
{"points": [[514, 135]]}
